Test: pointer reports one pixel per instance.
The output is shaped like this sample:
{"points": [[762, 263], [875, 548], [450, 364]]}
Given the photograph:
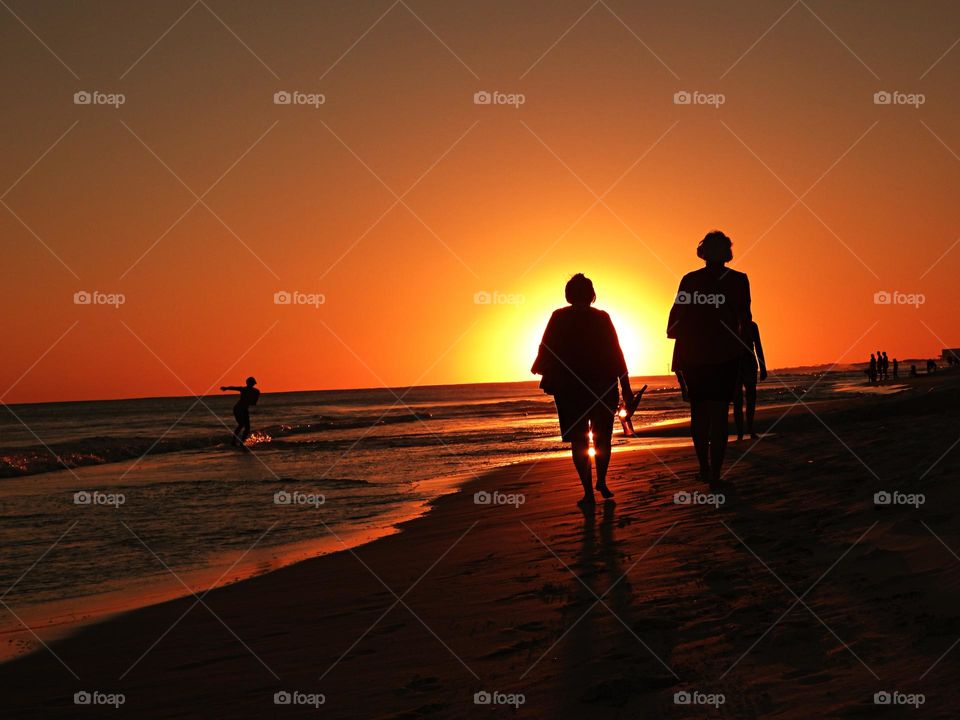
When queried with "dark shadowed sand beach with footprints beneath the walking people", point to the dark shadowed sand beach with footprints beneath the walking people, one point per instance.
{"points": [[798, 597]]}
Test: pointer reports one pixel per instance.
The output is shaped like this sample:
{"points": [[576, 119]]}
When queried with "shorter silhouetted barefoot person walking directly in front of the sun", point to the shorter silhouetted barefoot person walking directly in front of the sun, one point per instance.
{"points": [[581, 363]]}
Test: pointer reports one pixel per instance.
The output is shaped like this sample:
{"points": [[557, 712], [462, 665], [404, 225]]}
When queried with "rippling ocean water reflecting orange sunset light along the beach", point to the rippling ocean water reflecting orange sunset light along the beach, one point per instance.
{"points": [[155, 500]]}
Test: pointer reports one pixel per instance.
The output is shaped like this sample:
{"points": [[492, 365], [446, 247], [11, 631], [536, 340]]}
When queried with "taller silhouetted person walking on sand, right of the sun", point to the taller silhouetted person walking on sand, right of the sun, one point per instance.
{"points": [[709, 320]]}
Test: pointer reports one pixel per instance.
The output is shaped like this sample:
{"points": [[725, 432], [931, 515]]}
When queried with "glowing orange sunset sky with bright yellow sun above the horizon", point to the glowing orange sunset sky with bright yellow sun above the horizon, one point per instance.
{"points": [[504, 199]]}
